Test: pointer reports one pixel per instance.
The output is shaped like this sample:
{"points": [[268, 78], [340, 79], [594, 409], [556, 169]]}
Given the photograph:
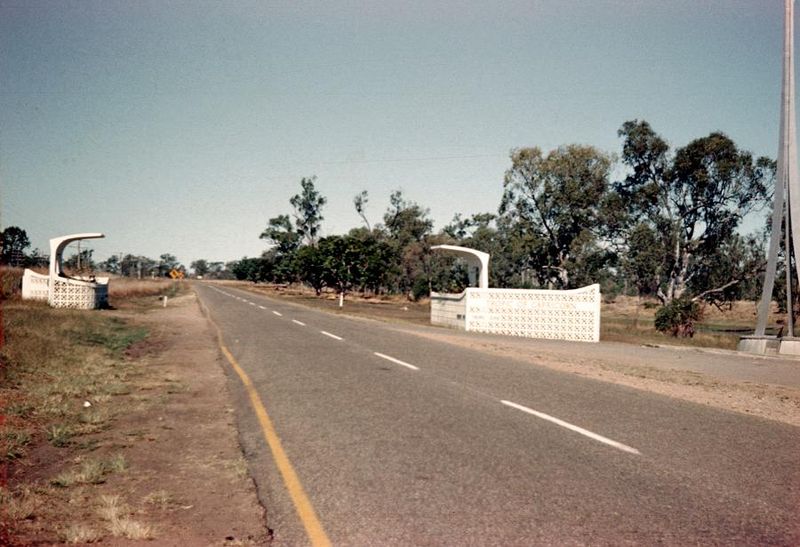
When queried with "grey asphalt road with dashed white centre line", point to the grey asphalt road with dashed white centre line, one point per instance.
{"points": [[397, 439]]}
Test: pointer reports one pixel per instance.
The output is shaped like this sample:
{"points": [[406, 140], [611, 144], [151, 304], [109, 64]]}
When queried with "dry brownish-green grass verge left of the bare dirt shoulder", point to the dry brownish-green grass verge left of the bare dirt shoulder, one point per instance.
{"points": [[65, 377]]}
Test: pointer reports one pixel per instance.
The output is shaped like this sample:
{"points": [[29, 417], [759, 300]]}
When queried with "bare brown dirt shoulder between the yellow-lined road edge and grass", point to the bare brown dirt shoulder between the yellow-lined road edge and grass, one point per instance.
{"points": [[192, 450]]}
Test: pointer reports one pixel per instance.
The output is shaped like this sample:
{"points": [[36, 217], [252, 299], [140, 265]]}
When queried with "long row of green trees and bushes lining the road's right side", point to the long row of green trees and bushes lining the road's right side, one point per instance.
{"points": [[660, 223]]}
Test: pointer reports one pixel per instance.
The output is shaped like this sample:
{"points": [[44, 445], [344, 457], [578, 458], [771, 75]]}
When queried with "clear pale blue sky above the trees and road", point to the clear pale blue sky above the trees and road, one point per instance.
{"points": [[182, 127]]}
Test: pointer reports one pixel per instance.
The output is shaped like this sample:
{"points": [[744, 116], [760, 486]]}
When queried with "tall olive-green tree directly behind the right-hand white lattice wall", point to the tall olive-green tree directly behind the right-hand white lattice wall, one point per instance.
{"points": [[557, 197]]}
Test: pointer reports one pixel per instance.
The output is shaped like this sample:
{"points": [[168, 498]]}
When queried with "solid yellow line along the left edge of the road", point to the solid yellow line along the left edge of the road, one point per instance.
{"points": [[316, 533]]}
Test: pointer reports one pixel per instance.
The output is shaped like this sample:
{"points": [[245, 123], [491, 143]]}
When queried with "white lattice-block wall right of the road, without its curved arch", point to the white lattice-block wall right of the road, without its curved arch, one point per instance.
{"points": [[555, 315]]}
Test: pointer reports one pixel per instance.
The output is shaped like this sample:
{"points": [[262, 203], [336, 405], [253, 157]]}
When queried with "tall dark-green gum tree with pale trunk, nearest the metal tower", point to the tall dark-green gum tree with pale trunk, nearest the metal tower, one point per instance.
{"points": [[688, 205]]}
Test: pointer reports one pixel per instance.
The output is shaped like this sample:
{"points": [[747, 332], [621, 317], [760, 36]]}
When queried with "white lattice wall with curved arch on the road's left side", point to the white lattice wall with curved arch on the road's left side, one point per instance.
{"points": [[61, 290]]}
